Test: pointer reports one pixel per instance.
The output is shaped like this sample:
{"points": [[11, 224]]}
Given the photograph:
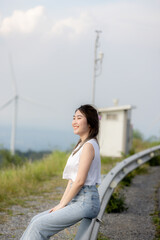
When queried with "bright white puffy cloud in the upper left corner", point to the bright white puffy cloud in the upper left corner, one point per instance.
{"points": [[22, 21]]}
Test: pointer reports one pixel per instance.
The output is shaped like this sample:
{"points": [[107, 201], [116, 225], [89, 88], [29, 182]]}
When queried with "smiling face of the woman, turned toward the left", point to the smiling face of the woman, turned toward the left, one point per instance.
{"points": [[80, 125]]}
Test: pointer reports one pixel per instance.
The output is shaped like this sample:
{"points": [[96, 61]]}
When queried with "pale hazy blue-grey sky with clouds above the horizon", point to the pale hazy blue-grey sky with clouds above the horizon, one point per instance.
{"points": [[47, 47]]}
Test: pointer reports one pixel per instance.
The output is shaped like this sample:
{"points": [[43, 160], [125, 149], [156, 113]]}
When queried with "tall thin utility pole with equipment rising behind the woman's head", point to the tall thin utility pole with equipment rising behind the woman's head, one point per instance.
{"points": [[97, 64]]}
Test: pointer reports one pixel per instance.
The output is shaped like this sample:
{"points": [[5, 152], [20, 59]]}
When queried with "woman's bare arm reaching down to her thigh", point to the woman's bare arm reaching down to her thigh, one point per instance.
{"points": [[86, 159]]}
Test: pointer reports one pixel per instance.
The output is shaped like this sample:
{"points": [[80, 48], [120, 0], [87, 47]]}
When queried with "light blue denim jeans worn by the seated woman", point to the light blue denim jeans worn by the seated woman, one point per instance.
{"points": [[44, 225]]}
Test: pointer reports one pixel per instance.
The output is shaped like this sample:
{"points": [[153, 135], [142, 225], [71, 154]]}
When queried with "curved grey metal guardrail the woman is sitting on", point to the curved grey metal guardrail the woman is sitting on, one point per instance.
{"points": [[88, 229]]}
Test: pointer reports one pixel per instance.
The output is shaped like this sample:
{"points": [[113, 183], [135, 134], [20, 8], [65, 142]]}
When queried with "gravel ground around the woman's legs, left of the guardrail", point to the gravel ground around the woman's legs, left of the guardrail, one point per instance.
{"points": [[15, 224]]}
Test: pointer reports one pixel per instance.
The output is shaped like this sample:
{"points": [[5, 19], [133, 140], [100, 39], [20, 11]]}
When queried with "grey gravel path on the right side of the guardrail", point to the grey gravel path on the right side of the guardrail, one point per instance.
{"points": [[136, 222]]}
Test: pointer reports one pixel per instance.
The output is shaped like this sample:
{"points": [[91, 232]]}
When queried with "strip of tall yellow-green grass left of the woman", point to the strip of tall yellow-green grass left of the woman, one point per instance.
{"points": [[29, 178]]}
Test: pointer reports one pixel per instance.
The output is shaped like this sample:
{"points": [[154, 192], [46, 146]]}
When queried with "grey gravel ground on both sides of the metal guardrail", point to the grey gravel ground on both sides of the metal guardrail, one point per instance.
{"points": [[134, 224]]}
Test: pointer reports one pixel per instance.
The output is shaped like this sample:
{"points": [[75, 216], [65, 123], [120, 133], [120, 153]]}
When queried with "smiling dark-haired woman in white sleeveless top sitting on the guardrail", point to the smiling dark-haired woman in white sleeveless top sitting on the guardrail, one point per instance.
{"points": [[80, 199]]}
